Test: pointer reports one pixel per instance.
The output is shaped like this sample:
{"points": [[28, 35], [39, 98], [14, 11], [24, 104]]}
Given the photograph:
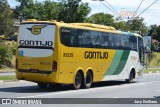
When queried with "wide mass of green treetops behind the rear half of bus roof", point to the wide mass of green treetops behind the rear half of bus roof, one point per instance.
{"points": [[65, 10]]}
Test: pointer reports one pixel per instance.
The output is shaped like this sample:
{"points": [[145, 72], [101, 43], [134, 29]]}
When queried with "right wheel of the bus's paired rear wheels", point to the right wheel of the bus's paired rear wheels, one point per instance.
{"points": [[88, 80]]}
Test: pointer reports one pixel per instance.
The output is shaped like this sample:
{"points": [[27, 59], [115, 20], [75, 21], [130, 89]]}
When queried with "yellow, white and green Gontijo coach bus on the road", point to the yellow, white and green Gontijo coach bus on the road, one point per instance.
{"points": [[51, 52]]}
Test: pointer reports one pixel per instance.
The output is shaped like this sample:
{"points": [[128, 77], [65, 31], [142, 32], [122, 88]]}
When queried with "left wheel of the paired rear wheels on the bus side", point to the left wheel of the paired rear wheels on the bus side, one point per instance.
{"points": [[77, 81]]}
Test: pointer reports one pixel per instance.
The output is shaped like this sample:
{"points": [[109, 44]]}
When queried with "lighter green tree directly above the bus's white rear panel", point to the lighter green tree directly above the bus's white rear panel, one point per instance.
{"points": [[46, 10]]}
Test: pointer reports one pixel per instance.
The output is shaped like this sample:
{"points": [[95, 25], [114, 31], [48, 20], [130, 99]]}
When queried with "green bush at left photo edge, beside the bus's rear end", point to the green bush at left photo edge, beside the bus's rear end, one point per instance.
{"points": [[6, 52]]}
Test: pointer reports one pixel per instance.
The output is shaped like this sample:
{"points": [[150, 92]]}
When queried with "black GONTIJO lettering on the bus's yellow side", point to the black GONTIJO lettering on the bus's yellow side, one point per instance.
{"points": [[95, 55]]}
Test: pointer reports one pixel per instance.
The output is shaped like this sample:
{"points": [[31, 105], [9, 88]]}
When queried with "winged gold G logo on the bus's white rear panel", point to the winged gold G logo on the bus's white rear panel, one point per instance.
{"points": [[36, 30]]}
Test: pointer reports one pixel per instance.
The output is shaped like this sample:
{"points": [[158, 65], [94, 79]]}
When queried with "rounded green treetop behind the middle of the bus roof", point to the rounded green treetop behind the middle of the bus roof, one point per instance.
{"points": [[101, 18]]}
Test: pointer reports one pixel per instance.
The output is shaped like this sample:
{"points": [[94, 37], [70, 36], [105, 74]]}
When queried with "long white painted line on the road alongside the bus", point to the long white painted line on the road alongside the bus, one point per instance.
{"points": [[89, 90]]}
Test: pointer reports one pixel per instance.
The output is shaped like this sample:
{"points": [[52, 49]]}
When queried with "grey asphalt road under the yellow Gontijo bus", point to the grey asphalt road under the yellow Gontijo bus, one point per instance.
{"points": [[146, 87]]}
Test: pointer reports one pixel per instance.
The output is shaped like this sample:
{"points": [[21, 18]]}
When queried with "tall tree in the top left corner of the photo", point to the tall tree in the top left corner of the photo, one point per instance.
{"points": [[6, 18]]}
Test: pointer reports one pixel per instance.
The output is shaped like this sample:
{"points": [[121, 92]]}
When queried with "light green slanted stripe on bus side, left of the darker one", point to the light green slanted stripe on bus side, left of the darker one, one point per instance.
{"points": [[115, 62]]}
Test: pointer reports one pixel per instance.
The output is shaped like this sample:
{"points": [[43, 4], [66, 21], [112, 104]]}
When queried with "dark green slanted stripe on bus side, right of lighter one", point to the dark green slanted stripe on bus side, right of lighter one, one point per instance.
{"points": [[122, 62]]}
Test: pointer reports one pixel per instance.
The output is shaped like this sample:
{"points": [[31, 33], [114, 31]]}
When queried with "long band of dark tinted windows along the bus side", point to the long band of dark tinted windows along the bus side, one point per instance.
{"points": [[94, 39]]}
